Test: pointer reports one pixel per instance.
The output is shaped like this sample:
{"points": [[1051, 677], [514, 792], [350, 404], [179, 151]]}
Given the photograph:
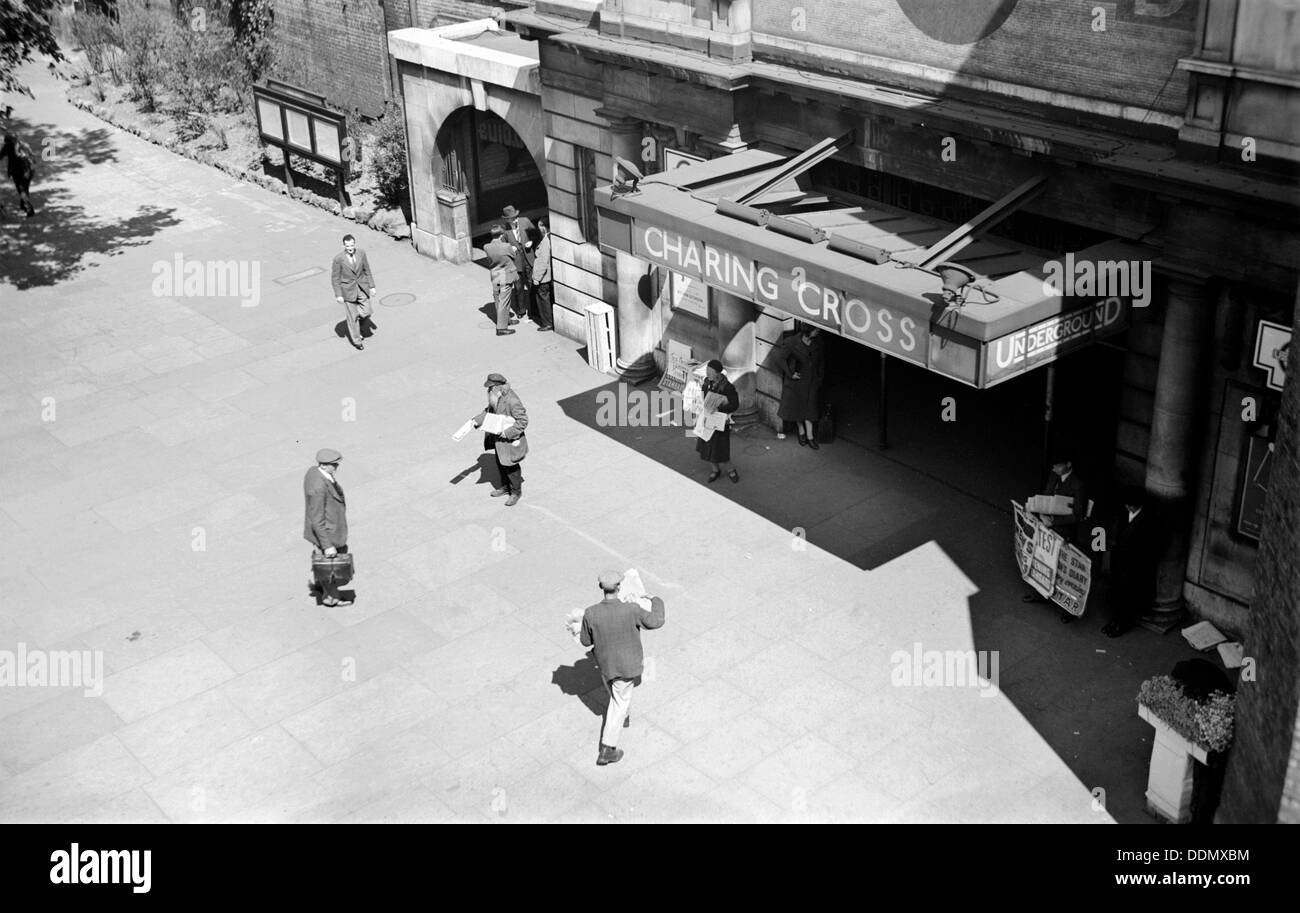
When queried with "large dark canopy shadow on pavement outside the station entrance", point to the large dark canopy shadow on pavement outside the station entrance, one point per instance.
{"points": [[1074, 686]]}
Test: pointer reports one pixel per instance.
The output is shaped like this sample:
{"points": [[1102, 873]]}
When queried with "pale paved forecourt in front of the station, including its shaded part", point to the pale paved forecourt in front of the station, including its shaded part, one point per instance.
{"points": [[151, 460]]}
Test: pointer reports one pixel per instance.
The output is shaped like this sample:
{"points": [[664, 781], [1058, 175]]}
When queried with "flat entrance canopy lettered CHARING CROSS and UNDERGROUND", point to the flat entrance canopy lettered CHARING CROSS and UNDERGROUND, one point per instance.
{"points": [[751, 224]]}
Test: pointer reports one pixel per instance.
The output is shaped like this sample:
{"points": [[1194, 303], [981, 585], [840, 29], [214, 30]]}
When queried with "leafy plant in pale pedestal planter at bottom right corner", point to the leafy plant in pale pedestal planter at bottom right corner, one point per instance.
{"points": [[1186, 730]]}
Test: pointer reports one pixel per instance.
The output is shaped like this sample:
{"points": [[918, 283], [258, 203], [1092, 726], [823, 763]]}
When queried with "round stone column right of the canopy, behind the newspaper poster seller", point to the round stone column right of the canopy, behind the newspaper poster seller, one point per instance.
{"points": [[1176, 436]]}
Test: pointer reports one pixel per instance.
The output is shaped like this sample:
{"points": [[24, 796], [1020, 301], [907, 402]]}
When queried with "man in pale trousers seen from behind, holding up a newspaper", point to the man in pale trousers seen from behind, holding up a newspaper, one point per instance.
{"points": [[614, 629]]}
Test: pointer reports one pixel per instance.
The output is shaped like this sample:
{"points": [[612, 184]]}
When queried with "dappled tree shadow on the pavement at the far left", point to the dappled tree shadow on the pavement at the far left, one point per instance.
{"points": [[55, 245]]}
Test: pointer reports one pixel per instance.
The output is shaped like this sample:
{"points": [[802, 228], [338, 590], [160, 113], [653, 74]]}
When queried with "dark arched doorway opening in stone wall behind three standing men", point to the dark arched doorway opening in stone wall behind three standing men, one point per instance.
{"points": [[482, 157]]}
